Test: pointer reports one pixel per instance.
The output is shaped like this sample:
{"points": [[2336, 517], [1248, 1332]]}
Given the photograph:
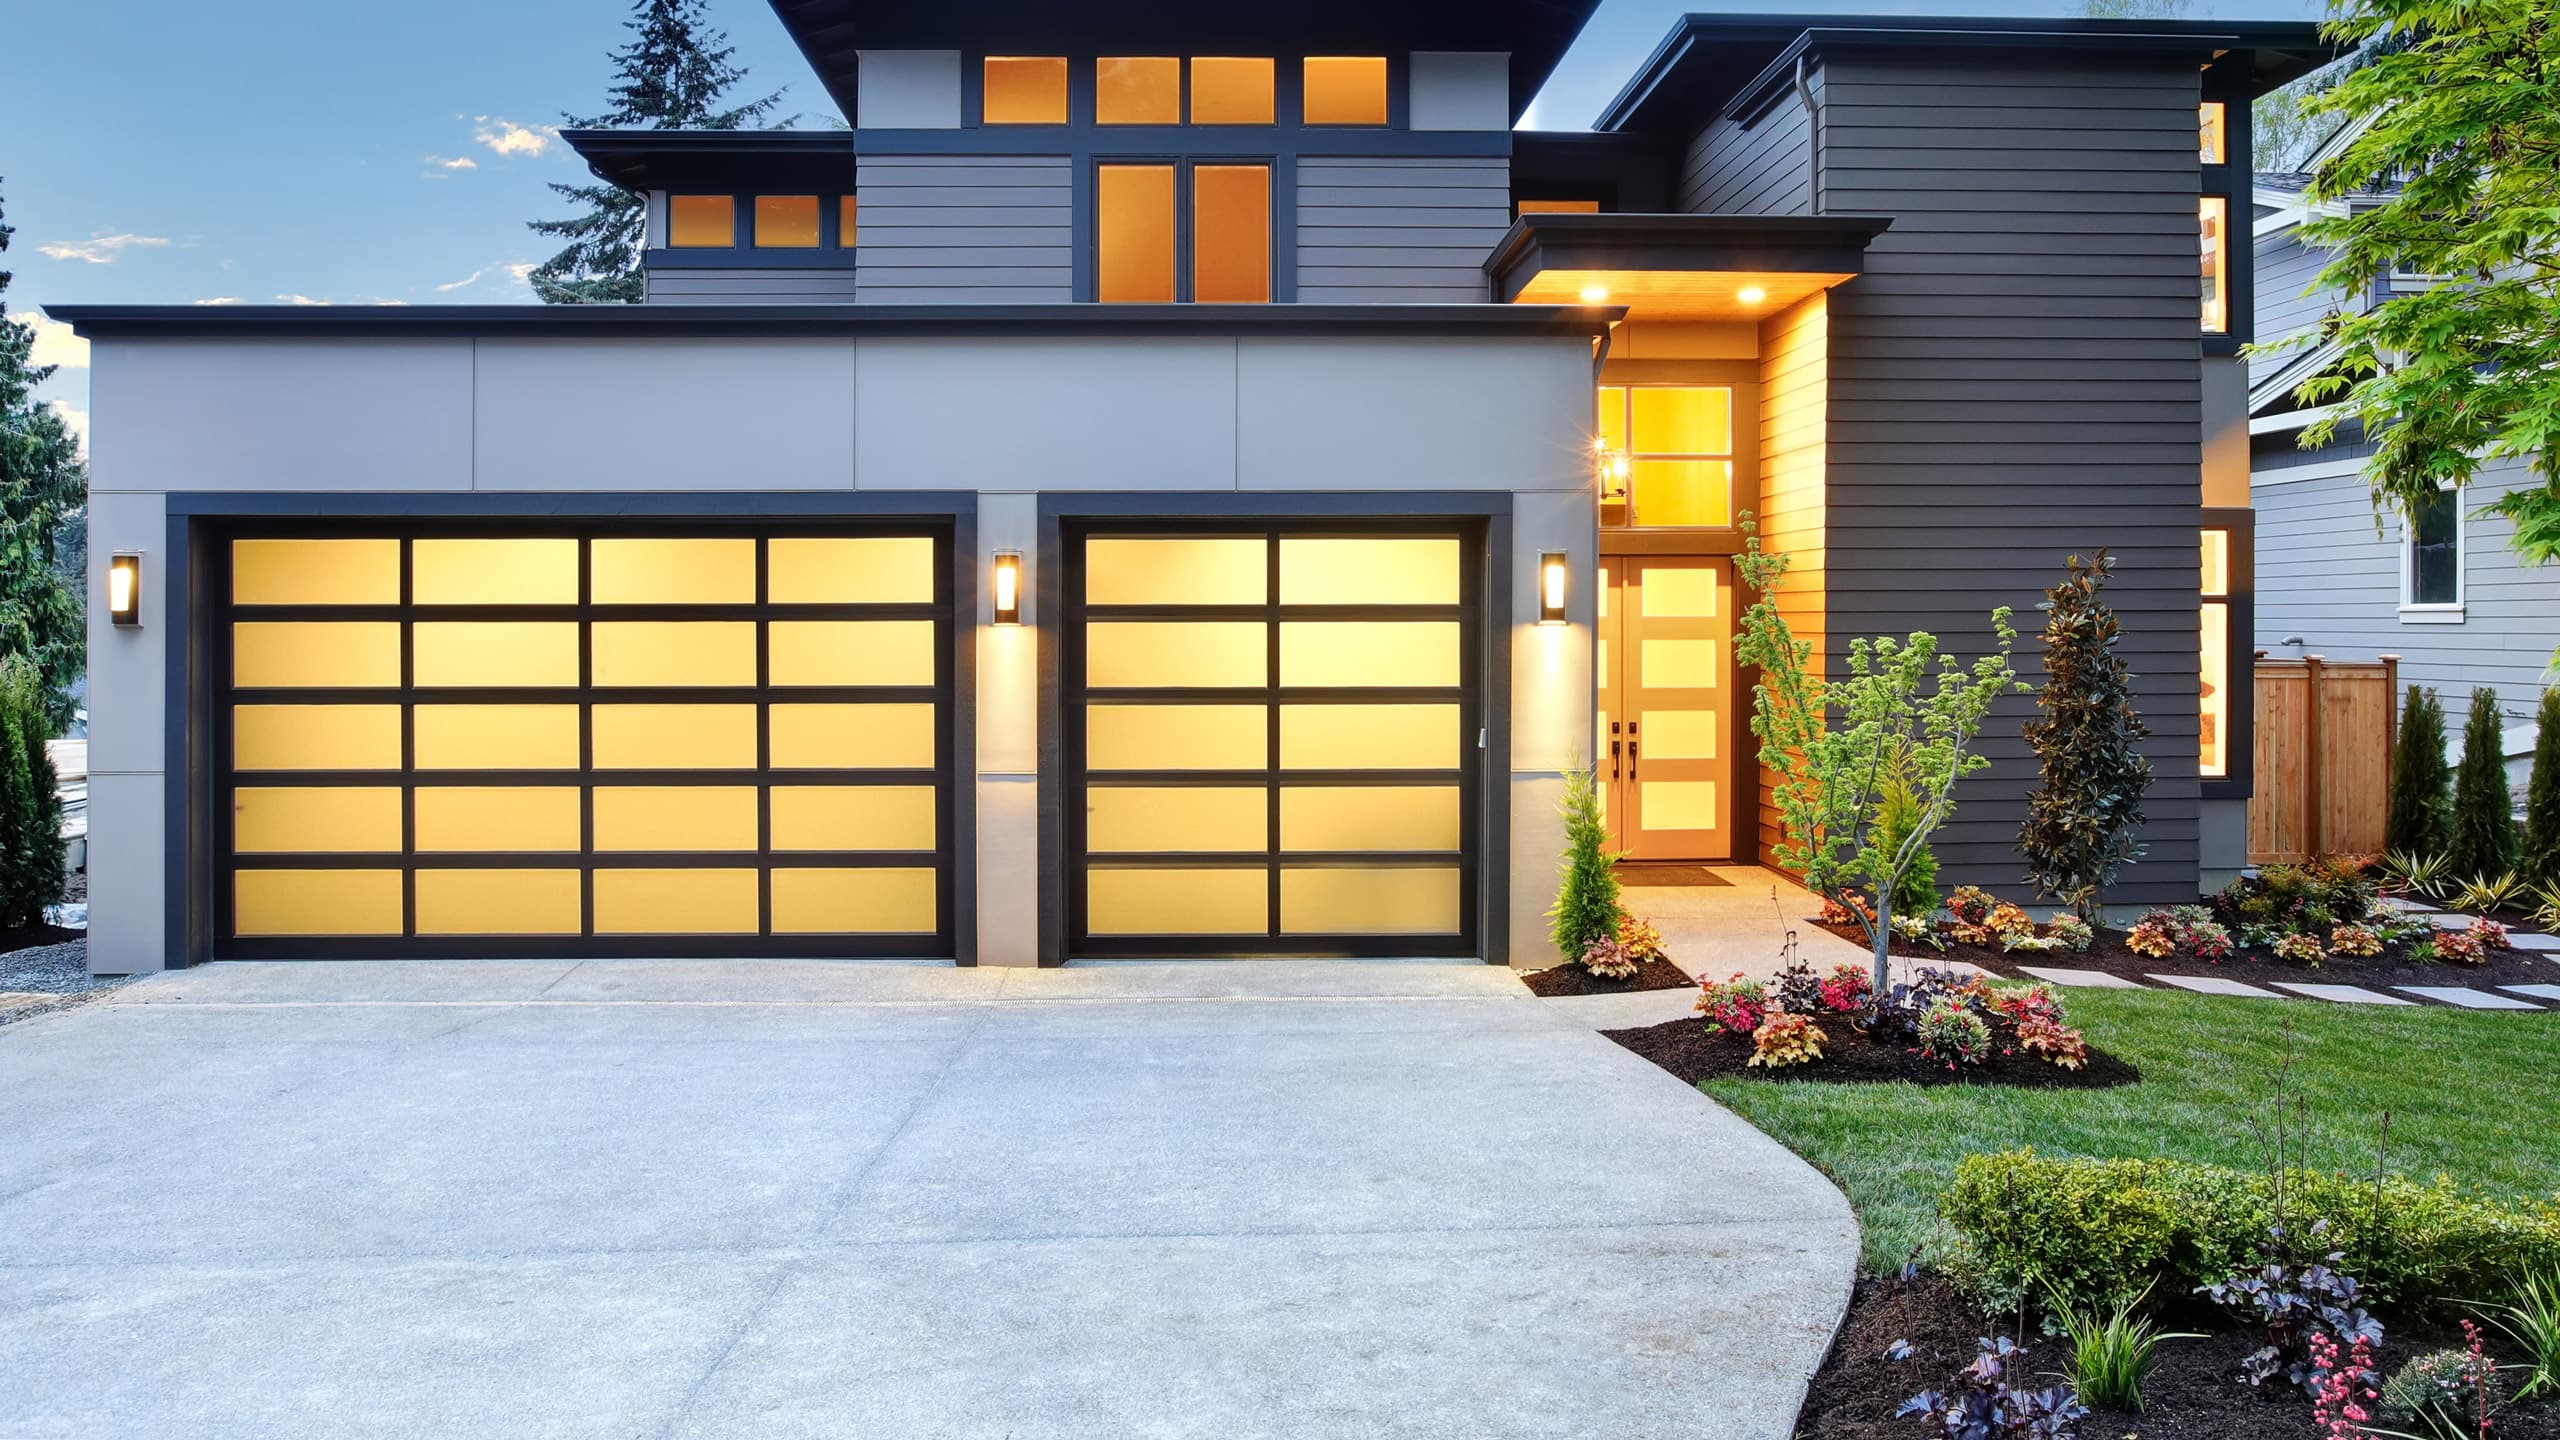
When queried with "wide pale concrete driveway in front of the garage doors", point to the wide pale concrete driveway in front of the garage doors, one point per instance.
{"points": [[861, 1200]]}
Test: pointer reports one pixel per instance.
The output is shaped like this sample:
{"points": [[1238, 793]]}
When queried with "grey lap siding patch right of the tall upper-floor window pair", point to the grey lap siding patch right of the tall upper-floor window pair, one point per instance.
{"points": [[1399, 232]]}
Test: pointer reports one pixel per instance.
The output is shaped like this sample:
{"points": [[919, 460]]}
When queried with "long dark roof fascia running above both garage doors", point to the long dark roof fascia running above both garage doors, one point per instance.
{"points": [[823, 322]]}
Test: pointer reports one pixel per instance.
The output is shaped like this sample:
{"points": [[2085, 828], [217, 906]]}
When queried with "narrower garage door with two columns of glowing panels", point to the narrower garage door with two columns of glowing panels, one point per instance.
{"points": [[1274, 742]]}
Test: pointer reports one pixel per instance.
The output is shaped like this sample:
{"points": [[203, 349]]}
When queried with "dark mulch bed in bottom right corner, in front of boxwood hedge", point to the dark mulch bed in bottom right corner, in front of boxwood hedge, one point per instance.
{"points": [[2195, 1390]]}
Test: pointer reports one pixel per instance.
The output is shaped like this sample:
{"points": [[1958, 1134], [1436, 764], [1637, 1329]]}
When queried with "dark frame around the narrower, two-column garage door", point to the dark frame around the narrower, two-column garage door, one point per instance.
{"points": [[1484, 519]]}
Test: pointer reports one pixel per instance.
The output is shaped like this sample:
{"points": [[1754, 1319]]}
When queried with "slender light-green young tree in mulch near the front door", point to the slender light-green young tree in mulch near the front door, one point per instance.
{"points": [[1837, 747]]}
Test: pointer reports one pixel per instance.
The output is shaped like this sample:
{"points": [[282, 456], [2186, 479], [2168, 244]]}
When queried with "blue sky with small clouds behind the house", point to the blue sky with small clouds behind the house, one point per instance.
{"points": [[342, 152]]}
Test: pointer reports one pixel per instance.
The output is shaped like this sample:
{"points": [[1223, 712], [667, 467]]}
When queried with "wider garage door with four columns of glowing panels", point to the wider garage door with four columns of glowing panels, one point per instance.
{"points": [[564, 742]]}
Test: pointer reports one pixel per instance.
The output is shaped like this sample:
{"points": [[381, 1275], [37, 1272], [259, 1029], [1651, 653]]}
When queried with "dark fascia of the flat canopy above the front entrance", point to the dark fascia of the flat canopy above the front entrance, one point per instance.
{"points": [[1780, 245]]}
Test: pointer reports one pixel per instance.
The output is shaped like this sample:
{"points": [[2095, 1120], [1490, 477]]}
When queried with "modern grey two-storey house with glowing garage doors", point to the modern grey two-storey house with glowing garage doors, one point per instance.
{"points": [[1179, 483]]}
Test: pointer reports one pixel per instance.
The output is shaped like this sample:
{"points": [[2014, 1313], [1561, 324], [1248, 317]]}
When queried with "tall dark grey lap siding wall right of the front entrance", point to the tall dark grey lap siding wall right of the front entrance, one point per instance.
{"points": [[2019, 378]]}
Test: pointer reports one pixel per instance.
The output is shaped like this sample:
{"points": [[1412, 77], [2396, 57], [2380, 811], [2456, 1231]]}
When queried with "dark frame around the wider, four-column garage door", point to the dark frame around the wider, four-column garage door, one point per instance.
{"points": [[191, 570]]}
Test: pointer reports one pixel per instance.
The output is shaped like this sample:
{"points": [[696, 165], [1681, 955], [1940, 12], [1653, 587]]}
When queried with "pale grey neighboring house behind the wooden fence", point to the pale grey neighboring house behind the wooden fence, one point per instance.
{"points": [[2341, 578]]}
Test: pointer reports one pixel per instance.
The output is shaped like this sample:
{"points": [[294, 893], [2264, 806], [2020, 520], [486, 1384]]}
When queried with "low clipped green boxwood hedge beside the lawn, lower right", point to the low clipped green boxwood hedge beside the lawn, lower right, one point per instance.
{"points": [[2100, 1231]]}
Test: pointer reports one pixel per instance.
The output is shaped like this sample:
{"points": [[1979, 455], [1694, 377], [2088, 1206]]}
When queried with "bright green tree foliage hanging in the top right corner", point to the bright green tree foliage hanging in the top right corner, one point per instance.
{"points": [[2451, 176]]}
